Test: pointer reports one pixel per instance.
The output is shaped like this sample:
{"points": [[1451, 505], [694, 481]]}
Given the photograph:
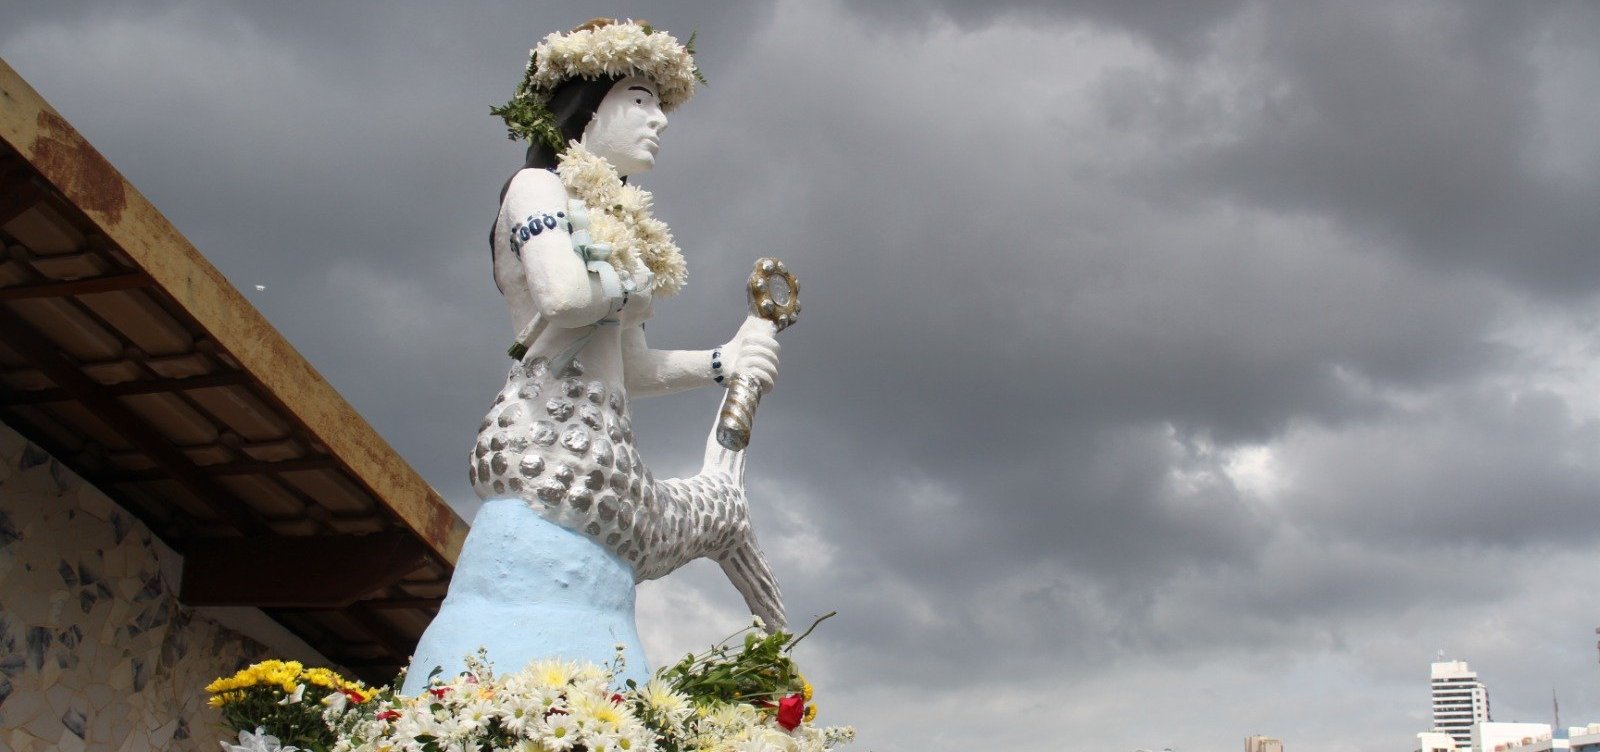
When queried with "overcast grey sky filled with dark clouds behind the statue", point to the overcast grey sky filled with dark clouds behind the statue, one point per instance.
{"points": [[1169, 372]]}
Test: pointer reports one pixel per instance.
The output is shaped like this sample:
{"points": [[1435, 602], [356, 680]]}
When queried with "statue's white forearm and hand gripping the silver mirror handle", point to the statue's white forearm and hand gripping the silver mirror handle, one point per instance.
{"points": [[647, 372]]}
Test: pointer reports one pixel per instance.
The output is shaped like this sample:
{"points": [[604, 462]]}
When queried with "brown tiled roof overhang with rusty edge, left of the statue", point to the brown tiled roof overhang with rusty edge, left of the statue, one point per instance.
{"points": [[137, 364]]}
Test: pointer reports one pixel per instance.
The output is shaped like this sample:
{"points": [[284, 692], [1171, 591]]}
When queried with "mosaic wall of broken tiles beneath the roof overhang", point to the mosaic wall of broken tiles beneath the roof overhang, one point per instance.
{"points": [[95, 650]]}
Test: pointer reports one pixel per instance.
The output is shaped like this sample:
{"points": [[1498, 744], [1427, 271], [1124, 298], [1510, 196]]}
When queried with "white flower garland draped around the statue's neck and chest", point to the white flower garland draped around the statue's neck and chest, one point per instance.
{"points": [[620, 217]]}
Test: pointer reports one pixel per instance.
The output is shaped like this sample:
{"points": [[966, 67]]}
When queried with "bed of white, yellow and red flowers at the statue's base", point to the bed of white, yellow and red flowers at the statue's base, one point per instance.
{"points": [[743, 695]]}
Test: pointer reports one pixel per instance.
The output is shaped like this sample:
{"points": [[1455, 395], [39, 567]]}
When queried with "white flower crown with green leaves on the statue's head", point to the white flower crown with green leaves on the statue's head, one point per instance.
{"points": [[598, 50]]}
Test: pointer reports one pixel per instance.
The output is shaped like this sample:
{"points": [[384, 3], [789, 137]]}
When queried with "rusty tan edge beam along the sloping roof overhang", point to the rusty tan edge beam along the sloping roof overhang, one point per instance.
{"points": [[81, 174]]}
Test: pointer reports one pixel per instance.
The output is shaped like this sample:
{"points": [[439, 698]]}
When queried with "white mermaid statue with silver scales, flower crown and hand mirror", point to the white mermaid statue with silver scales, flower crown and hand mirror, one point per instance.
{"points": [[572, 516]]}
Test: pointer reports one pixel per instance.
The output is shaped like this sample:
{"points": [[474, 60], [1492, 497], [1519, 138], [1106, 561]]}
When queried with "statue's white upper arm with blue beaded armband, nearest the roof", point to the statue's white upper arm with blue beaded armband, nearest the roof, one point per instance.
{"points": [[562, 289]]}
